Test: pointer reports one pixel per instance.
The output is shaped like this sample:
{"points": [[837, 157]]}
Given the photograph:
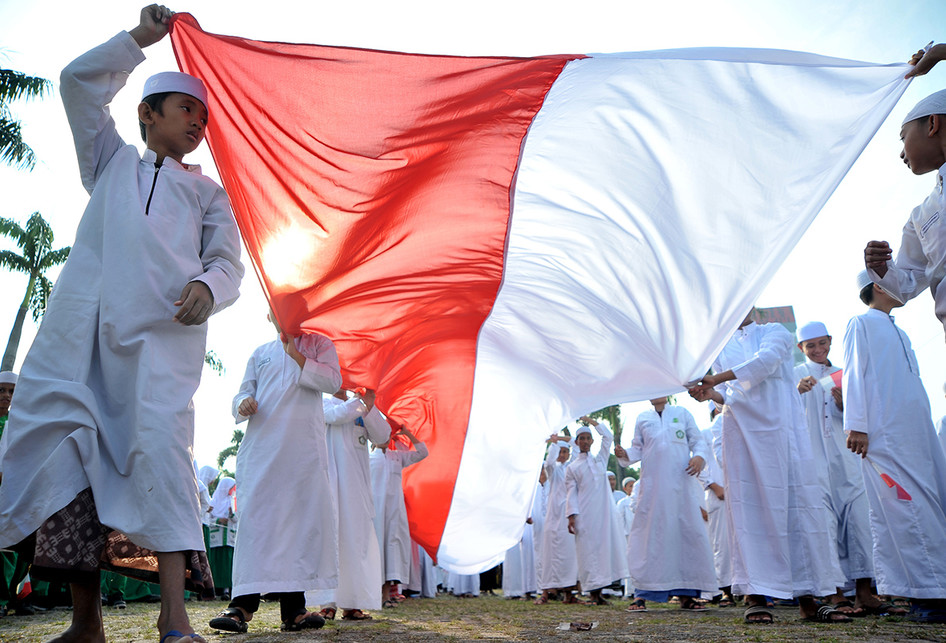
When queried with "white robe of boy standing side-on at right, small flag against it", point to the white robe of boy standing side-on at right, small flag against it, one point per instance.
{"points": [[884, 398]]}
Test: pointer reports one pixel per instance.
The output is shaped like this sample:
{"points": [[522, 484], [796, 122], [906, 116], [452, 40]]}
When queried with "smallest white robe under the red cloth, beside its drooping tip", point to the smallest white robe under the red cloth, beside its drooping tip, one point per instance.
{"points": [[390, 520]]}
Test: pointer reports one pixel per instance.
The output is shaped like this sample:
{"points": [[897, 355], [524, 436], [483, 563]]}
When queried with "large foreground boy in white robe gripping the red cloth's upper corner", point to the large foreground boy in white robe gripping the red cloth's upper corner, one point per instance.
{"points": [[104, 422]]}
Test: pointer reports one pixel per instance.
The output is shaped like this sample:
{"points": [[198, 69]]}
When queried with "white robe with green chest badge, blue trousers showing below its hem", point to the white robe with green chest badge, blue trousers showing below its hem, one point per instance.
{"points": [[669, 543]]}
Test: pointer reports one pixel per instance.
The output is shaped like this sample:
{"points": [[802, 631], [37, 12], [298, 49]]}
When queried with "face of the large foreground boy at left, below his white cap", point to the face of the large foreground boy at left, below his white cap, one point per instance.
{"points": [[178, 128]]}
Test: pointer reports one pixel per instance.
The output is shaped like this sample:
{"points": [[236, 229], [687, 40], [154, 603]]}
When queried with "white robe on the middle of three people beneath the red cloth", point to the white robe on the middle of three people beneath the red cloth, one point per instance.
{"points": [[359, 556]]}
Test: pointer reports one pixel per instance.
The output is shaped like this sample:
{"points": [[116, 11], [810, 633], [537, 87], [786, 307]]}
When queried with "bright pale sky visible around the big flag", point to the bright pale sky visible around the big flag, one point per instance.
{"points": [[873, 202]]}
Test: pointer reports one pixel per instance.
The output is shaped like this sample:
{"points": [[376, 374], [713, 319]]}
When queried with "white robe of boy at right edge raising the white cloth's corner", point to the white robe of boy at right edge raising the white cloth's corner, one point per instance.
{"points": [[921, 259]]}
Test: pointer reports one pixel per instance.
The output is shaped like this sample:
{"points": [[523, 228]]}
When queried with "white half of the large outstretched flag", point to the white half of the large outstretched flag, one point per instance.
{"points": [[657, 194]]}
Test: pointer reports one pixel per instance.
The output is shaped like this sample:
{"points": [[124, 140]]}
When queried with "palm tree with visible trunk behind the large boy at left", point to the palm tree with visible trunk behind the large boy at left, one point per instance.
{"points": [[35, 242]]}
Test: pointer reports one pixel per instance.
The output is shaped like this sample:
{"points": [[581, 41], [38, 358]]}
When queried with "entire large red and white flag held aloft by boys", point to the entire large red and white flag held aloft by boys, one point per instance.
{"points": [[499, 245]]}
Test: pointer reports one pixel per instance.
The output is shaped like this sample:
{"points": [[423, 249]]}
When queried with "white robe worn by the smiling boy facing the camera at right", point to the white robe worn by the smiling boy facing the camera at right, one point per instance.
{"points": [[841, 473]]}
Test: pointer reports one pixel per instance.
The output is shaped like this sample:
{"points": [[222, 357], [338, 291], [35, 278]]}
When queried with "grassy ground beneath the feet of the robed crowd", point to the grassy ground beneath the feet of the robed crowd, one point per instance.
{"points": [[494, 618]]}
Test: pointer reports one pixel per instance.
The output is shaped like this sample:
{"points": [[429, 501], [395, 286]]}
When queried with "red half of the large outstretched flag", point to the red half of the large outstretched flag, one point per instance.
{"points": [[372, 190]]}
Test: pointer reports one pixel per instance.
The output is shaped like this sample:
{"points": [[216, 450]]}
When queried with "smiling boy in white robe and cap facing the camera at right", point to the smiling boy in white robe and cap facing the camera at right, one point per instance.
{"points": [[839, 471]]}
